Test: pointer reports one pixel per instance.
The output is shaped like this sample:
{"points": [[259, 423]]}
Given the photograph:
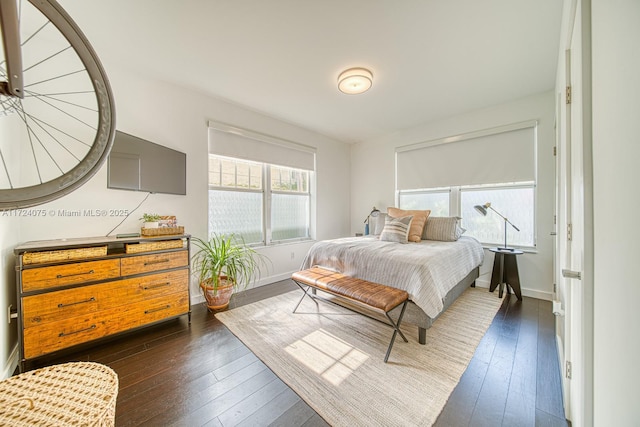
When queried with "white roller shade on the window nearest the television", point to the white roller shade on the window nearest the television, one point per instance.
{"points": [[225, 140]]}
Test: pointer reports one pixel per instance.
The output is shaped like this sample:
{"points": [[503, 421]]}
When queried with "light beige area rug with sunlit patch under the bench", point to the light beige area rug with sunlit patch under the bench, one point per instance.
{"points": [[333, 358]]}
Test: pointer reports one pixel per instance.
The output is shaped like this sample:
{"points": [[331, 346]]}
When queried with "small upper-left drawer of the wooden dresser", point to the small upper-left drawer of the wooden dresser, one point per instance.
{"points": [[34, 279]]}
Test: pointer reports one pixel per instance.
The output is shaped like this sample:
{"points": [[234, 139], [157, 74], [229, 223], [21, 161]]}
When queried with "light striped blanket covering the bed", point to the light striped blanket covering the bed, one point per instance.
{"points": [[426, 270]]}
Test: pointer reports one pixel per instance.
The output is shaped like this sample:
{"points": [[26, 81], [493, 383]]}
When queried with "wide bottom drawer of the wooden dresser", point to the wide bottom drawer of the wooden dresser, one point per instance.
{"points": [[45, 339]]}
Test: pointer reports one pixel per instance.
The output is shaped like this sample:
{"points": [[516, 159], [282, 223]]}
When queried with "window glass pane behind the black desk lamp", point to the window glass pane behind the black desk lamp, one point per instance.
{"points": [[517, 204]]}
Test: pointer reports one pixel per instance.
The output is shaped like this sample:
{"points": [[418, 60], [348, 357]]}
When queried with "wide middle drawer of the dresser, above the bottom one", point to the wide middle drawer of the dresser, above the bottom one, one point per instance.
{"points": [[58, 305]]}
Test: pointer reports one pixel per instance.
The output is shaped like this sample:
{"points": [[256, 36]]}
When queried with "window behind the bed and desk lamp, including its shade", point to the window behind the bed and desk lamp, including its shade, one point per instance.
{"points": [[452, 175]]}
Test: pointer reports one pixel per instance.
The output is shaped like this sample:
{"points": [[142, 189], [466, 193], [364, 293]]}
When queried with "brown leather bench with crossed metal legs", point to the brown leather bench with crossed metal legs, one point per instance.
{"points": [[372, 296]]}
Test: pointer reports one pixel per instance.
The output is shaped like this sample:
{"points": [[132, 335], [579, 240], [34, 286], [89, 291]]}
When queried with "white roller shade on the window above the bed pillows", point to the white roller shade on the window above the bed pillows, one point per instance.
{"points": [[499, 155]]}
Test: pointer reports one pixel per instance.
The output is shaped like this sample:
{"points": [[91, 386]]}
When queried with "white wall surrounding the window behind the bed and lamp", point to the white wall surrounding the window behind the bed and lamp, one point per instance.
{"points": [[373, 178]]}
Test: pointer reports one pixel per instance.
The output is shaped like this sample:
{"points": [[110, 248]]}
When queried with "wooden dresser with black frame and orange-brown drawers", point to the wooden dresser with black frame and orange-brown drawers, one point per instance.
{"points": [[74, 291]]}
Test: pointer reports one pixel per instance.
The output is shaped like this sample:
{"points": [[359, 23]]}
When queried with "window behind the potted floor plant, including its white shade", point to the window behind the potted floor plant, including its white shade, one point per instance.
{"points": [[259, 185]]}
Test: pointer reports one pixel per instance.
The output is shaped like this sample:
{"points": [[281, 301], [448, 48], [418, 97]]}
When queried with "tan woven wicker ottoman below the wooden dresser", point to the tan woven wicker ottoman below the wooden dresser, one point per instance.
{"points": [[70, 394]]}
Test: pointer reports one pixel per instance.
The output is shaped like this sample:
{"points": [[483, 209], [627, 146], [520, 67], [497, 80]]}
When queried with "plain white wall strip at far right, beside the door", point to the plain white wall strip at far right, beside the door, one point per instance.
{"points": [[616, 151]]}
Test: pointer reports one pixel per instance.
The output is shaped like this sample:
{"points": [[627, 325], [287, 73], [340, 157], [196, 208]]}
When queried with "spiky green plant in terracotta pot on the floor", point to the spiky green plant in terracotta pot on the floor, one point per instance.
{"points": [[222, 264]]}
